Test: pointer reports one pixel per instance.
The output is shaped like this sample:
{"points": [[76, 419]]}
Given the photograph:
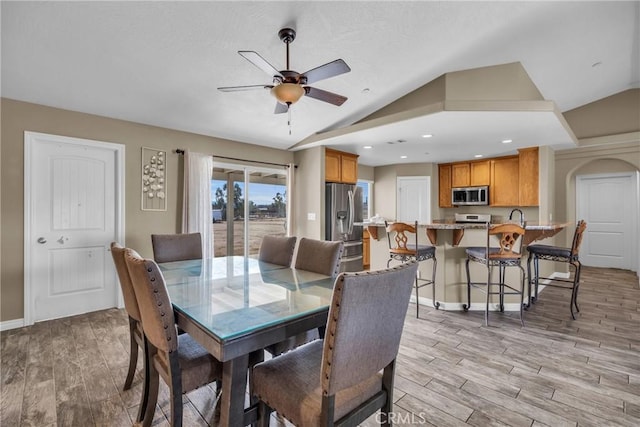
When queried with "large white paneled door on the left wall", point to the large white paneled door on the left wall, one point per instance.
{"points": [[73, 208]]}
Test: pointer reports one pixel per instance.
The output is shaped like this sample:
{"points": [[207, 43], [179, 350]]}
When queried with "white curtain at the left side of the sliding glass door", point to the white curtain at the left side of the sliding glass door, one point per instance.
{"points": [[196, 199]]}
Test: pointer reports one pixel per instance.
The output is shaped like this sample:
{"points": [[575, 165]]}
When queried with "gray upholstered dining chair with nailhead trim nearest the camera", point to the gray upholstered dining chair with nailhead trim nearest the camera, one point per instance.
{"points": [[349, 375]]}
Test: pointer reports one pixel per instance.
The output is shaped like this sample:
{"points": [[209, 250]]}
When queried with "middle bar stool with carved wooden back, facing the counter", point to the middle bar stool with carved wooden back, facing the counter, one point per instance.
{"points": [[501, 256]]}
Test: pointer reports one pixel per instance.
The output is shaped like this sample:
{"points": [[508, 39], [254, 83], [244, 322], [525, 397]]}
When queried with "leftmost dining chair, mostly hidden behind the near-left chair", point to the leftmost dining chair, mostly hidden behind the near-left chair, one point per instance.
{"points": [[131, 307]]}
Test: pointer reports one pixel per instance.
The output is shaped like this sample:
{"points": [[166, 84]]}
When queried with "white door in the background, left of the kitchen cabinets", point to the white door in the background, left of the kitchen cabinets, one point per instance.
{"points": [[414, 199]]}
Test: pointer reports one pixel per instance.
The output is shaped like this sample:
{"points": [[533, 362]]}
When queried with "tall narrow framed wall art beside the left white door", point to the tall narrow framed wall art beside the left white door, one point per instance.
{"points": [[154, 170]]}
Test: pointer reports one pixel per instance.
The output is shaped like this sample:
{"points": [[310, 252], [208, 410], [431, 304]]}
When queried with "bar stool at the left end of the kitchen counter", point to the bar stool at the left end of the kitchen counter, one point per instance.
{"points": [[401, 250]]}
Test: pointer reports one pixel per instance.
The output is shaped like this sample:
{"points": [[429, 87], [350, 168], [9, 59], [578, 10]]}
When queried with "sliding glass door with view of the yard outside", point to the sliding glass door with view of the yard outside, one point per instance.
{"points": [[248, 202]]}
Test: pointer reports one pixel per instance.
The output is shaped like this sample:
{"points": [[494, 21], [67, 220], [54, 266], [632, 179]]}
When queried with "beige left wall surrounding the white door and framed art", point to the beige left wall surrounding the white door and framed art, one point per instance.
{"points": [[18, 117]]}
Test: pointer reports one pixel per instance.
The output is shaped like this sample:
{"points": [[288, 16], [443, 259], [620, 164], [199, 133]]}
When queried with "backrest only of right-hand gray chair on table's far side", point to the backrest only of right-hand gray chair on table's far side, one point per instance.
{"points": [[319, 256]]}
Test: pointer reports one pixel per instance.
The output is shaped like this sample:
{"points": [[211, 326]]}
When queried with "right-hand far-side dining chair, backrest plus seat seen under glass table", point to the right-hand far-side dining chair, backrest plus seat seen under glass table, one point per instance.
{"points": [[318, 256]]}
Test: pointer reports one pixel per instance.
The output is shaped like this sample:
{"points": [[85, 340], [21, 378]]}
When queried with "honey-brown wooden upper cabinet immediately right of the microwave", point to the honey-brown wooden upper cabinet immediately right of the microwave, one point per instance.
{"points": [[504, 188]]}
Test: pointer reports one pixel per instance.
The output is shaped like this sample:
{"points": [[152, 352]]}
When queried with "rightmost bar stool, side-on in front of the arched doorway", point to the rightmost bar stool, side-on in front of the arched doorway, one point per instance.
{"points": [[558, 254]]}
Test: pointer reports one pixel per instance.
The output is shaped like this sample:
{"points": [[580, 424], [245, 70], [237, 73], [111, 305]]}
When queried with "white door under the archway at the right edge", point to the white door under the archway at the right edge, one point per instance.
{"points": [[609, 205]]}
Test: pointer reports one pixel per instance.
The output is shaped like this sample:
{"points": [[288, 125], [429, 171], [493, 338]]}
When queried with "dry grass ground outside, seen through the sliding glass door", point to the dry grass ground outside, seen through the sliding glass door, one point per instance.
{"points": [[257, 229]]}
